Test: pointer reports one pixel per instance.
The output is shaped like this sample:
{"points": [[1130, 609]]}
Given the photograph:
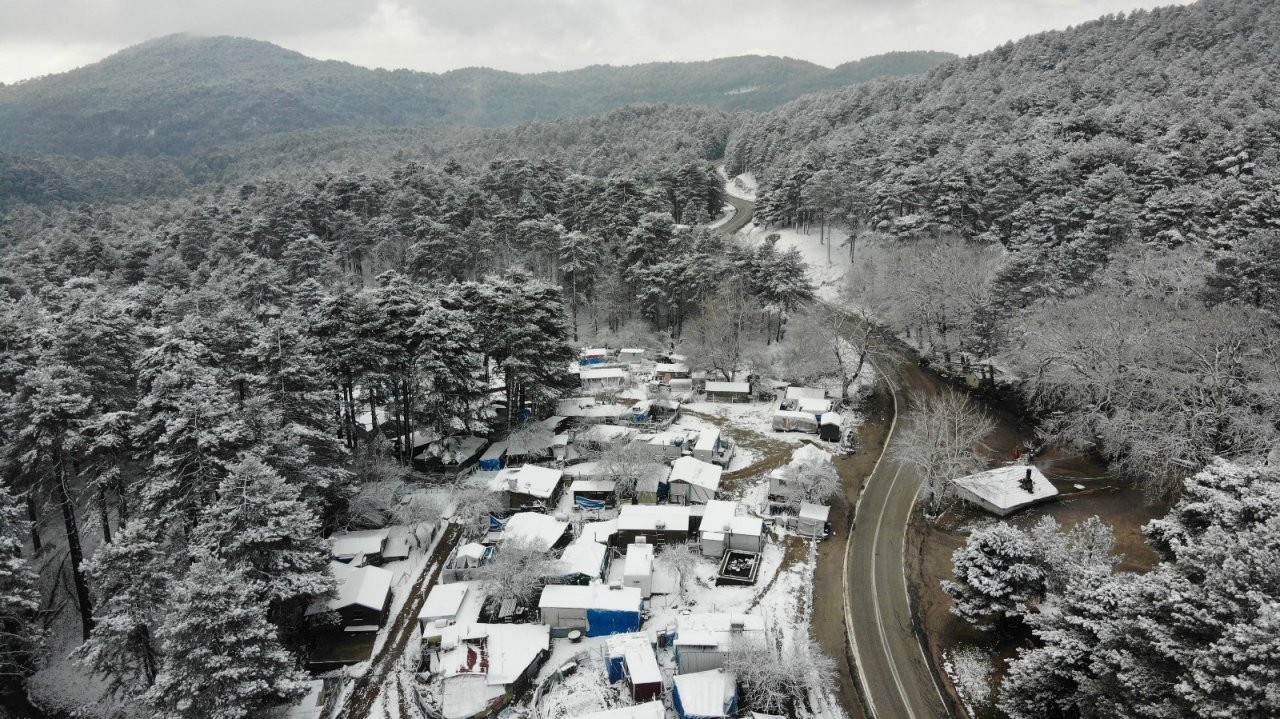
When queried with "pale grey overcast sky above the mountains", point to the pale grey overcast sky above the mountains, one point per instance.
{"points": [[51, 36]]}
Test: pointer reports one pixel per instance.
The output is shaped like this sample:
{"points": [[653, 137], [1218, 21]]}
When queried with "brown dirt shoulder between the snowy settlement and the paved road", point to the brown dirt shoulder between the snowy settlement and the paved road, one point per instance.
{"points": [[829, 615]]}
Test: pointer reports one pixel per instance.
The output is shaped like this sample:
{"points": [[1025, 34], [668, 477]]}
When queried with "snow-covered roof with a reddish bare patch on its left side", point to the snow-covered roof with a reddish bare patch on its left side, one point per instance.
{"points": [[501, 652]]}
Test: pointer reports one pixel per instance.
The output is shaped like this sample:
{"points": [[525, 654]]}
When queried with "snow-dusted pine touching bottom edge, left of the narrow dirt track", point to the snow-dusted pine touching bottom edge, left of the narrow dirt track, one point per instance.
{"points": [[222, 657]]}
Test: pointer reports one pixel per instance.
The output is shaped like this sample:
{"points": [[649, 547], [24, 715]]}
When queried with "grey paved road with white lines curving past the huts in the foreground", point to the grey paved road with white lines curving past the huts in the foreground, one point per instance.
{"points": [[893, 670]]}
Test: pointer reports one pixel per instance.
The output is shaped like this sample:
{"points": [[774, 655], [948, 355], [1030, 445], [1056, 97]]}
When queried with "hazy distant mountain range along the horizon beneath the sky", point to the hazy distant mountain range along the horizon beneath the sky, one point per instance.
{"points": [[184, 94]]}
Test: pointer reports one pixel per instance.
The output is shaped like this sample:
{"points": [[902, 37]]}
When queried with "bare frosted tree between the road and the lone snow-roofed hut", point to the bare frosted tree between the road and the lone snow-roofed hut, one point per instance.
{"points": [[941, 442]]}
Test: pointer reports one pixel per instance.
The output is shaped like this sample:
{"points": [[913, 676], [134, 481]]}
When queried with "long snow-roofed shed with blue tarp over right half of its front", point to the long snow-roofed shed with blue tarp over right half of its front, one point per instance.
{"points": [[596, 611]]}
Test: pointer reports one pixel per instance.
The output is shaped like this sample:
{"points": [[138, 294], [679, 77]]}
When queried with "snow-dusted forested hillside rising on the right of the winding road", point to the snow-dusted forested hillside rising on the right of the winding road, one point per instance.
{"points": [[1113, 193]]}
